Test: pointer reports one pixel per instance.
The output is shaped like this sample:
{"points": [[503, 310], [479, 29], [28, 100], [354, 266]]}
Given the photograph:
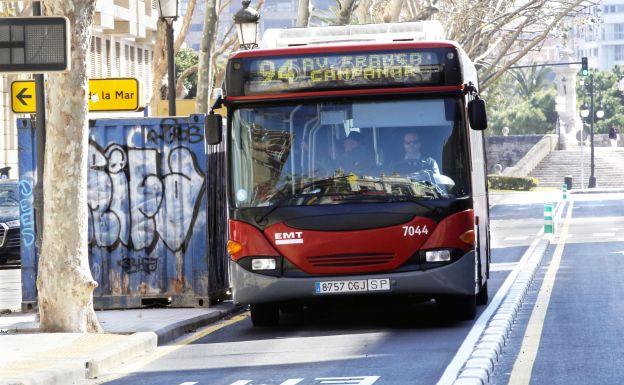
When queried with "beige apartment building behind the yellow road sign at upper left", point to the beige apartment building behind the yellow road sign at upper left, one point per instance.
{"points": [[122, 45]]}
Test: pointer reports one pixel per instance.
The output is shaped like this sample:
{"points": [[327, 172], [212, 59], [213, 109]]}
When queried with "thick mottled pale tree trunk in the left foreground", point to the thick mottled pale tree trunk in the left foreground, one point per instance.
{"points": [[64, 282]]}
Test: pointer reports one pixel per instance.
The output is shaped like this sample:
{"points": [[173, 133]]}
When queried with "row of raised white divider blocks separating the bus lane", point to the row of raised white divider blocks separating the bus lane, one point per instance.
{"points": [[487, 350]]}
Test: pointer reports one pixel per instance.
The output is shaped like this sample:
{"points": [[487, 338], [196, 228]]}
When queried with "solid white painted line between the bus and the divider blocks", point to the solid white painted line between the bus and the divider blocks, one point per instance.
{"points": [[465, 350]]}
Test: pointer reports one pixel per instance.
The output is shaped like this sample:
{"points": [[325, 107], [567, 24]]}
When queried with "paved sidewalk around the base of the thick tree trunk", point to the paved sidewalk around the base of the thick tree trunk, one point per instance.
{"points": [[28, 357]]}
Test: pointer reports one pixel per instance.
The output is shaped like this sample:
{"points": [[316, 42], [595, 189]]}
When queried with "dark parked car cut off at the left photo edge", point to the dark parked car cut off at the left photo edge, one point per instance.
{"points": [[9, 221]]}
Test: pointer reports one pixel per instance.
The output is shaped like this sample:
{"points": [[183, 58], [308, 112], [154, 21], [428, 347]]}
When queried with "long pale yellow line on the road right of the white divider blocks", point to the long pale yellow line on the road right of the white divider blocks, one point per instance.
{"points": [[523, 367]]}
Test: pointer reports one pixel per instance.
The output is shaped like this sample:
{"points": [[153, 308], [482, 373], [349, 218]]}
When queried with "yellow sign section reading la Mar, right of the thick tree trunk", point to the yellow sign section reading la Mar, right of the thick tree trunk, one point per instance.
{"points": [[119, 94]]}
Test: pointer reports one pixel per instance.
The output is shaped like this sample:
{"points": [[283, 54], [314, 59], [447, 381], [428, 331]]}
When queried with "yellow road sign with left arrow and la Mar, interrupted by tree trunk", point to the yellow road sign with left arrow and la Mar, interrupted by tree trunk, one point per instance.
{"points": [[114, 94]]}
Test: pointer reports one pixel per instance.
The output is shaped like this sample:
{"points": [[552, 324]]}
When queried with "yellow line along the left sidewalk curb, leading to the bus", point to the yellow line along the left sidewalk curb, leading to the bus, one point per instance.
{"points": [[162, 351]]}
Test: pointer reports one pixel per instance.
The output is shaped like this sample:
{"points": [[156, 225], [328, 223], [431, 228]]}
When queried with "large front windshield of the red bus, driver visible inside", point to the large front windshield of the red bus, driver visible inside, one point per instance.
{"points": [[341, 152]]}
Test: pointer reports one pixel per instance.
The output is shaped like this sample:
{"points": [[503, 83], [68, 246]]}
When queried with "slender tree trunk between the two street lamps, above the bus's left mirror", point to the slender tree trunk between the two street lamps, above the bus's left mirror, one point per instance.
{"points": [[206, 70]]}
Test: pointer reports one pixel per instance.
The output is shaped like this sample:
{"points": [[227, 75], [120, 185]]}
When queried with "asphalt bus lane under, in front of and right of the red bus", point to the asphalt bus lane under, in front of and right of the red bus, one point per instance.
{"points": [[384, 345]]}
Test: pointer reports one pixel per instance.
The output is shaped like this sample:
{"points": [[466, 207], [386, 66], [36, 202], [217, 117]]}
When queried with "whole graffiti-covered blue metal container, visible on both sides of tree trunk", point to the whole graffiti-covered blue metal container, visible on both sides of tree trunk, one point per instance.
{"points": [[157, 212]]}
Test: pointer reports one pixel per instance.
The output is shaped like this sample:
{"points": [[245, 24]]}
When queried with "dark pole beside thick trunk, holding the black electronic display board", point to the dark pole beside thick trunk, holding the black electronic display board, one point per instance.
{"points": [[40, 145]]}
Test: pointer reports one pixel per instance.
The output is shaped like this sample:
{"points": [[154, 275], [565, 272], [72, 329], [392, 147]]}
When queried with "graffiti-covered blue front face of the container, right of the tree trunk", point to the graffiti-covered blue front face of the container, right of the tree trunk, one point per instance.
{"points": [[147, 206]]}
